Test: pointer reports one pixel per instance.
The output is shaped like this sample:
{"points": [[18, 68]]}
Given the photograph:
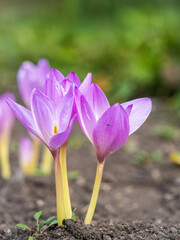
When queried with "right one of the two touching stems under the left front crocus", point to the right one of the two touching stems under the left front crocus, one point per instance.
{"points": [[67, 202]]}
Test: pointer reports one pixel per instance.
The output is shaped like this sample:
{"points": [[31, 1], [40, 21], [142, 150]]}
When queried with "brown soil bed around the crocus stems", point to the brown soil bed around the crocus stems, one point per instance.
{"points": [[136, 201]]}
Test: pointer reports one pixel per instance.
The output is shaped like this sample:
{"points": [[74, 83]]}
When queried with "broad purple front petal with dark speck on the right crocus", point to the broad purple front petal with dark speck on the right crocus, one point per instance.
{"points": [[111, 131]]}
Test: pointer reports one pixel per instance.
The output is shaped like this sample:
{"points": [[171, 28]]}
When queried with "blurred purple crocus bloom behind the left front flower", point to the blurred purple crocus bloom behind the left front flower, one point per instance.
{"points": [[30, 76]]}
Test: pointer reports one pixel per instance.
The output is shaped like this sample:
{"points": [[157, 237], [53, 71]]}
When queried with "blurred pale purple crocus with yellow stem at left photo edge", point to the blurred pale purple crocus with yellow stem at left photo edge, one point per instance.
{"points": [[6, 124]]}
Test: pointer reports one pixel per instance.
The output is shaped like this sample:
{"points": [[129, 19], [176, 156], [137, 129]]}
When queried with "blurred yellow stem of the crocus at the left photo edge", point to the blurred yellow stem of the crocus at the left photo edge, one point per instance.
{"points": [[4, 158]]}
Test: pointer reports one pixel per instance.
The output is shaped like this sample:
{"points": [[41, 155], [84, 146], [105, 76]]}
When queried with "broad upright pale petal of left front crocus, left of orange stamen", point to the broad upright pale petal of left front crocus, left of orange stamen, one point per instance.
{"points": [[43, 113]]}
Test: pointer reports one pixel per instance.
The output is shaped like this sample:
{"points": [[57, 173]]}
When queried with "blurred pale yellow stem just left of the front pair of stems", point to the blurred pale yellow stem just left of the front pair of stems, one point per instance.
{"points": [[46, 165]]}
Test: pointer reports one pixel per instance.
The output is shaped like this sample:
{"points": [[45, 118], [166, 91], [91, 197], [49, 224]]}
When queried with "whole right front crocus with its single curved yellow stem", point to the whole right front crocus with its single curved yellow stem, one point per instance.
{"points": [[108, 127]]}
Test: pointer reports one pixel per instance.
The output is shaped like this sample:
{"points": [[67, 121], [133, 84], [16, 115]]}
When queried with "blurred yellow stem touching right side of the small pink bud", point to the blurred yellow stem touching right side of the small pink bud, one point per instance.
{"points": [[34, 161]]}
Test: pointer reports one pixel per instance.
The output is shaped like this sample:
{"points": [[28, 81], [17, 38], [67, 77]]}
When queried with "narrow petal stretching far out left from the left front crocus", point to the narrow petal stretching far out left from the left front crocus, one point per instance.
{"points": [[25, 117]]}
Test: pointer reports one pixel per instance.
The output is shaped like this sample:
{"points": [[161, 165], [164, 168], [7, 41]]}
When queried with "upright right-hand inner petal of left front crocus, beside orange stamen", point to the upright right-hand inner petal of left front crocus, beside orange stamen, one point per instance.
{"points": [[64, 110]]}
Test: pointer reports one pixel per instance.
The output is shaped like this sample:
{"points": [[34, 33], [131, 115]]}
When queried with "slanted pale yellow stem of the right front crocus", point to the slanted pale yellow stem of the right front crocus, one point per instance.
{"points": [[95, 193]]}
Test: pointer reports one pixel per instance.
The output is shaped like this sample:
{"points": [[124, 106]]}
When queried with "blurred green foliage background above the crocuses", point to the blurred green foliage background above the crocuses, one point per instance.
{"points": [[131, 47]]}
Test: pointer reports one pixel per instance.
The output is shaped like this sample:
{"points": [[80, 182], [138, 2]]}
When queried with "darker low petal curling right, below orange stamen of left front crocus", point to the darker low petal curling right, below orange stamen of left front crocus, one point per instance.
{"points": [[60, 138]]}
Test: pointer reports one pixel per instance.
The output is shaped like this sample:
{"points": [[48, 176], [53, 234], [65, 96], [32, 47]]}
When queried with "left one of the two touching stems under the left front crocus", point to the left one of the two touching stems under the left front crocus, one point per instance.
{"points": [[59, 189]]}
